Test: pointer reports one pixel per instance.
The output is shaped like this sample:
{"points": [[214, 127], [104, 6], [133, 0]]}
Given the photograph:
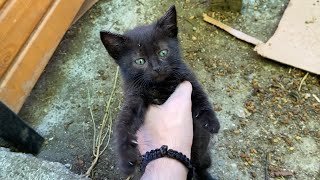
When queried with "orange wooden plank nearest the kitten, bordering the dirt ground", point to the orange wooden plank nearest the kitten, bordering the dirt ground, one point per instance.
{"points": [[30, 62]]}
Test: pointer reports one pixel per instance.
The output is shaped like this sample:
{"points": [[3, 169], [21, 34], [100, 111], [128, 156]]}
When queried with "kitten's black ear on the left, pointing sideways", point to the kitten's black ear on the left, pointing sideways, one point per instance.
{"points": [[114, 43]]}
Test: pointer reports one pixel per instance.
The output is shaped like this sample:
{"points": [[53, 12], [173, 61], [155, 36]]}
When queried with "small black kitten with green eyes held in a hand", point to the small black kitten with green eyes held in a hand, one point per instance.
{"points": [[151, 67]]}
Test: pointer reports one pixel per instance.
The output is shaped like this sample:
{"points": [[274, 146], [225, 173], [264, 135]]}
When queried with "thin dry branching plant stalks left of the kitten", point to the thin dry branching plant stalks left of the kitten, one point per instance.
{"points": [[98, 141]]}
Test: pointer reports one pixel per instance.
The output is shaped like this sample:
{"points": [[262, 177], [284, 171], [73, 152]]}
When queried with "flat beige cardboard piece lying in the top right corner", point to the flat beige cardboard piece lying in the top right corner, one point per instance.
{"points": [[296, 42]]}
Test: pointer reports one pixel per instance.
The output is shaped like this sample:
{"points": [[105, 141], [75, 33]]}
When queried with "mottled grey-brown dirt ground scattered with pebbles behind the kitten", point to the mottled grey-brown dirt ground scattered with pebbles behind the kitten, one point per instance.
{"points": [[267, 124]]}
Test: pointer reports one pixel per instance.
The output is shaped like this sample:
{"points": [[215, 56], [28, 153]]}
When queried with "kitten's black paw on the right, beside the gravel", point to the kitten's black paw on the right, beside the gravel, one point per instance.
{"points": [[209, 121]]}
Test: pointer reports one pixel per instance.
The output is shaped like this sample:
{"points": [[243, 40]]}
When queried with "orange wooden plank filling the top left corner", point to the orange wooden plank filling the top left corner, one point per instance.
{"points": [[17, 22]]}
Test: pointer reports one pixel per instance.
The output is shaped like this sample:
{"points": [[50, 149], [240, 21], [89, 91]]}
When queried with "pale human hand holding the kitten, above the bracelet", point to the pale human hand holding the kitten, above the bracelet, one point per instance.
{"points": [[169, 124]]}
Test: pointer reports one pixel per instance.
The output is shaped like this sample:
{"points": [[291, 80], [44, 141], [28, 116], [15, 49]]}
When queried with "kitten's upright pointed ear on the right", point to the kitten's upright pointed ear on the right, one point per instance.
{"points": [[168, 22]]}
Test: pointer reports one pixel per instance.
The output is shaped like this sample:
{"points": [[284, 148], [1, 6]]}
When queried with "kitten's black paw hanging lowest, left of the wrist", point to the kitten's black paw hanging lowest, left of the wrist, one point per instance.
{"points": [[128, 156]]}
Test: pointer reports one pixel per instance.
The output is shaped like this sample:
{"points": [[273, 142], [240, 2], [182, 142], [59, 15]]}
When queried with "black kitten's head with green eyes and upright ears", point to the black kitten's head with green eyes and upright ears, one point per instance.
{"points": [[150, 53]]}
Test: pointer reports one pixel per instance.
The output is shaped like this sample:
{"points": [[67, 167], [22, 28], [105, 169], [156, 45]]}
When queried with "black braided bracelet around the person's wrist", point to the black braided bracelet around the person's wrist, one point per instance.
{"points": [[165, 152]]}
